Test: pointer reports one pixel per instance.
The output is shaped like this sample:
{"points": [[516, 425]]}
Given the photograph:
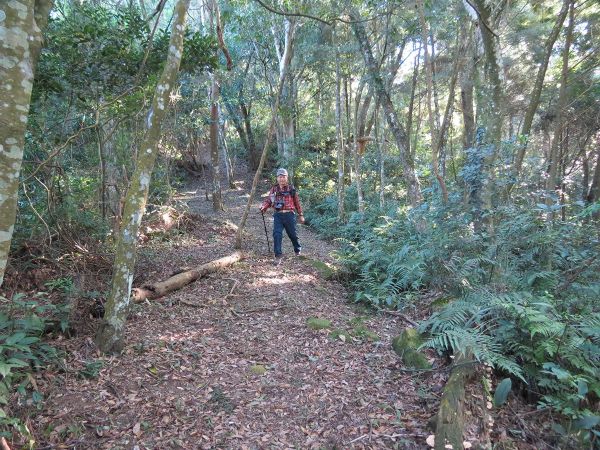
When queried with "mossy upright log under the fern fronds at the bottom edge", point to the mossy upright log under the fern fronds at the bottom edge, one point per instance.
{"points": [[450, 417]]}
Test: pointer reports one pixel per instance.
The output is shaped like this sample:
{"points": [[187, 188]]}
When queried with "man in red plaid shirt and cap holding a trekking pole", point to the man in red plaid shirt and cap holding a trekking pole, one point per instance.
{"points": [[284, 199]]}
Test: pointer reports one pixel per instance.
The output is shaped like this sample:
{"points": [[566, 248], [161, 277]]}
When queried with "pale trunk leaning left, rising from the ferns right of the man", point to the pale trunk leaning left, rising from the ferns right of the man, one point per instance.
{"points": [[413, 185]]}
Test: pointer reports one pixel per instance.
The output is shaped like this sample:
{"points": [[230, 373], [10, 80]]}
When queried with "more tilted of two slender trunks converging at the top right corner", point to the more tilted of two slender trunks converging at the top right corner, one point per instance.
{"points": [[537, 87]]}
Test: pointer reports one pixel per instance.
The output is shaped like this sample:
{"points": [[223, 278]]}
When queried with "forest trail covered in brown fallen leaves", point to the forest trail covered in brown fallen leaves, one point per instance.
{"points": [[229, 361]]}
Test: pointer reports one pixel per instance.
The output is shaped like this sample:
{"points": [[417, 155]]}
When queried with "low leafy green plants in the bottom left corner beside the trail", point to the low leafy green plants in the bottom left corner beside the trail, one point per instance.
{"points": [[22, 324]]}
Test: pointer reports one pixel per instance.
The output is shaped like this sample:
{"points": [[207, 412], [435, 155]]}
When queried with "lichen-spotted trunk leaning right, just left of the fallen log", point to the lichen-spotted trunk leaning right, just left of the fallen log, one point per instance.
{"points": [[112, 329]]}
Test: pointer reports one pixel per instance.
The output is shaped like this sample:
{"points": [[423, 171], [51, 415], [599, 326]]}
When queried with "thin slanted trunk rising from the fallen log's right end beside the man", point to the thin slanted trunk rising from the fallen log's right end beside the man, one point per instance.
{"points": [[287, 56]]}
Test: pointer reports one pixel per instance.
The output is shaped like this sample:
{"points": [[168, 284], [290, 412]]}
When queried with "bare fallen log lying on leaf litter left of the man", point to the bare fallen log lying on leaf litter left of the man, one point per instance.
{"points": [[156, 290]]}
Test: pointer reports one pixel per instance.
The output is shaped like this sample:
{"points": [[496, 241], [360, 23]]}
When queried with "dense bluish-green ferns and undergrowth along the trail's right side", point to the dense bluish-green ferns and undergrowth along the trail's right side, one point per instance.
{"points": [[526, 299]]}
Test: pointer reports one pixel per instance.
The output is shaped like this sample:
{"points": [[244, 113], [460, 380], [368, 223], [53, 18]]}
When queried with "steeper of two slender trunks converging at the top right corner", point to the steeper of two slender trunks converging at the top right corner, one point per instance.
{"points": [[553, 160]]}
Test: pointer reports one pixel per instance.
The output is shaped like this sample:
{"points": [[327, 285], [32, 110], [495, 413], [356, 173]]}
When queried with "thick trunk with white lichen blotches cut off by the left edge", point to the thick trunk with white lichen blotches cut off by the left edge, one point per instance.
{"points": [[21, 25]]}
